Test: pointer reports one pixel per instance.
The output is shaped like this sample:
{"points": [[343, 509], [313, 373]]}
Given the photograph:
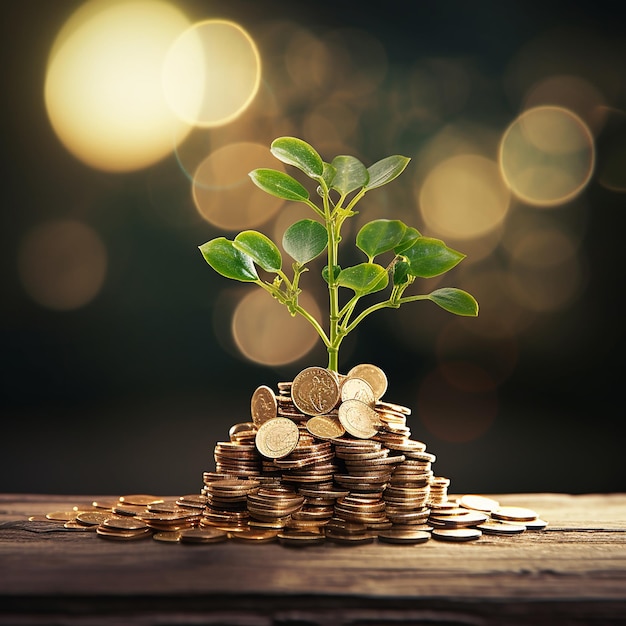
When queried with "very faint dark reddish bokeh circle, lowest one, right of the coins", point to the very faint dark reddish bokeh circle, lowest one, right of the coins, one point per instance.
{"points": [[457, 414]]}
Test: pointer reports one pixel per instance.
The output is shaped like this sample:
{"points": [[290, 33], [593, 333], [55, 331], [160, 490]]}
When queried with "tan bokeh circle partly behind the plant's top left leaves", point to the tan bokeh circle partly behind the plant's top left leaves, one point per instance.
{"points": [[223, 193]]}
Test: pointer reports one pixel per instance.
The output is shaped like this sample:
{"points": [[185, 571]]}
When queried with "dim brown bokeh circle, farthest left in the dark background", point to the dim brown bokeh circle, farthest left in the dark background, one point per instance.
{"points": [[62, 264]]}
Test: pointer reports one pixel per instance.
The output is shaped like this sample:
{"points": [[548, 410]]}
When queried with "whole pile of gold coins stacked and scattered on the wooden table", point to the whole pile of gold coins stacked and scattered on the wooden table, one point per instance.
{"points": [[323, 460]]}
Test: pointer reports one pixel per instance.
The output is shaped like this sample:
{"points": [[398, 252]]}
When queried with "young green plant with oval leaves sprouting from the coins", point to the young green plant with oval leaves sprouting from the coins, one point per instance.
{"points": [[341, 184]]}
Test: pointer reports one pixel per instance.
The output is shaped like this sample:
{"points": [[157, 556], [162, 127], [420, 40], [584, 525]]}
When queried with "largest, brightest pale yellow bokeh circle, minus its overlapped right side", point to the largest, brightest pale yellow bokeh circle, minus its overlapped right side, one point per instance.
{"points": [[103, 90]]}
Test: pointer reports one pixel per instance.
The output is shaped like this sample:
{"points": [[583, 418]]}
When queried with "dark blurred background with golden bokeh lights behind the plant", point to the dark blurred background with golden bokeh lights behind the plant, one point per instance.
{"points": [[125, 358]]}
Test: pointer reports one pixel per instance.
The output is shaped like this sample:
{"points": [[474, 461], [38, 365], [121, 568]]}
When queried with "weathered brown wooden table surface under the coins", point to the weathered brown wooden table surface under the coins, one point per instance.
{"points": [[573, 572]]}
